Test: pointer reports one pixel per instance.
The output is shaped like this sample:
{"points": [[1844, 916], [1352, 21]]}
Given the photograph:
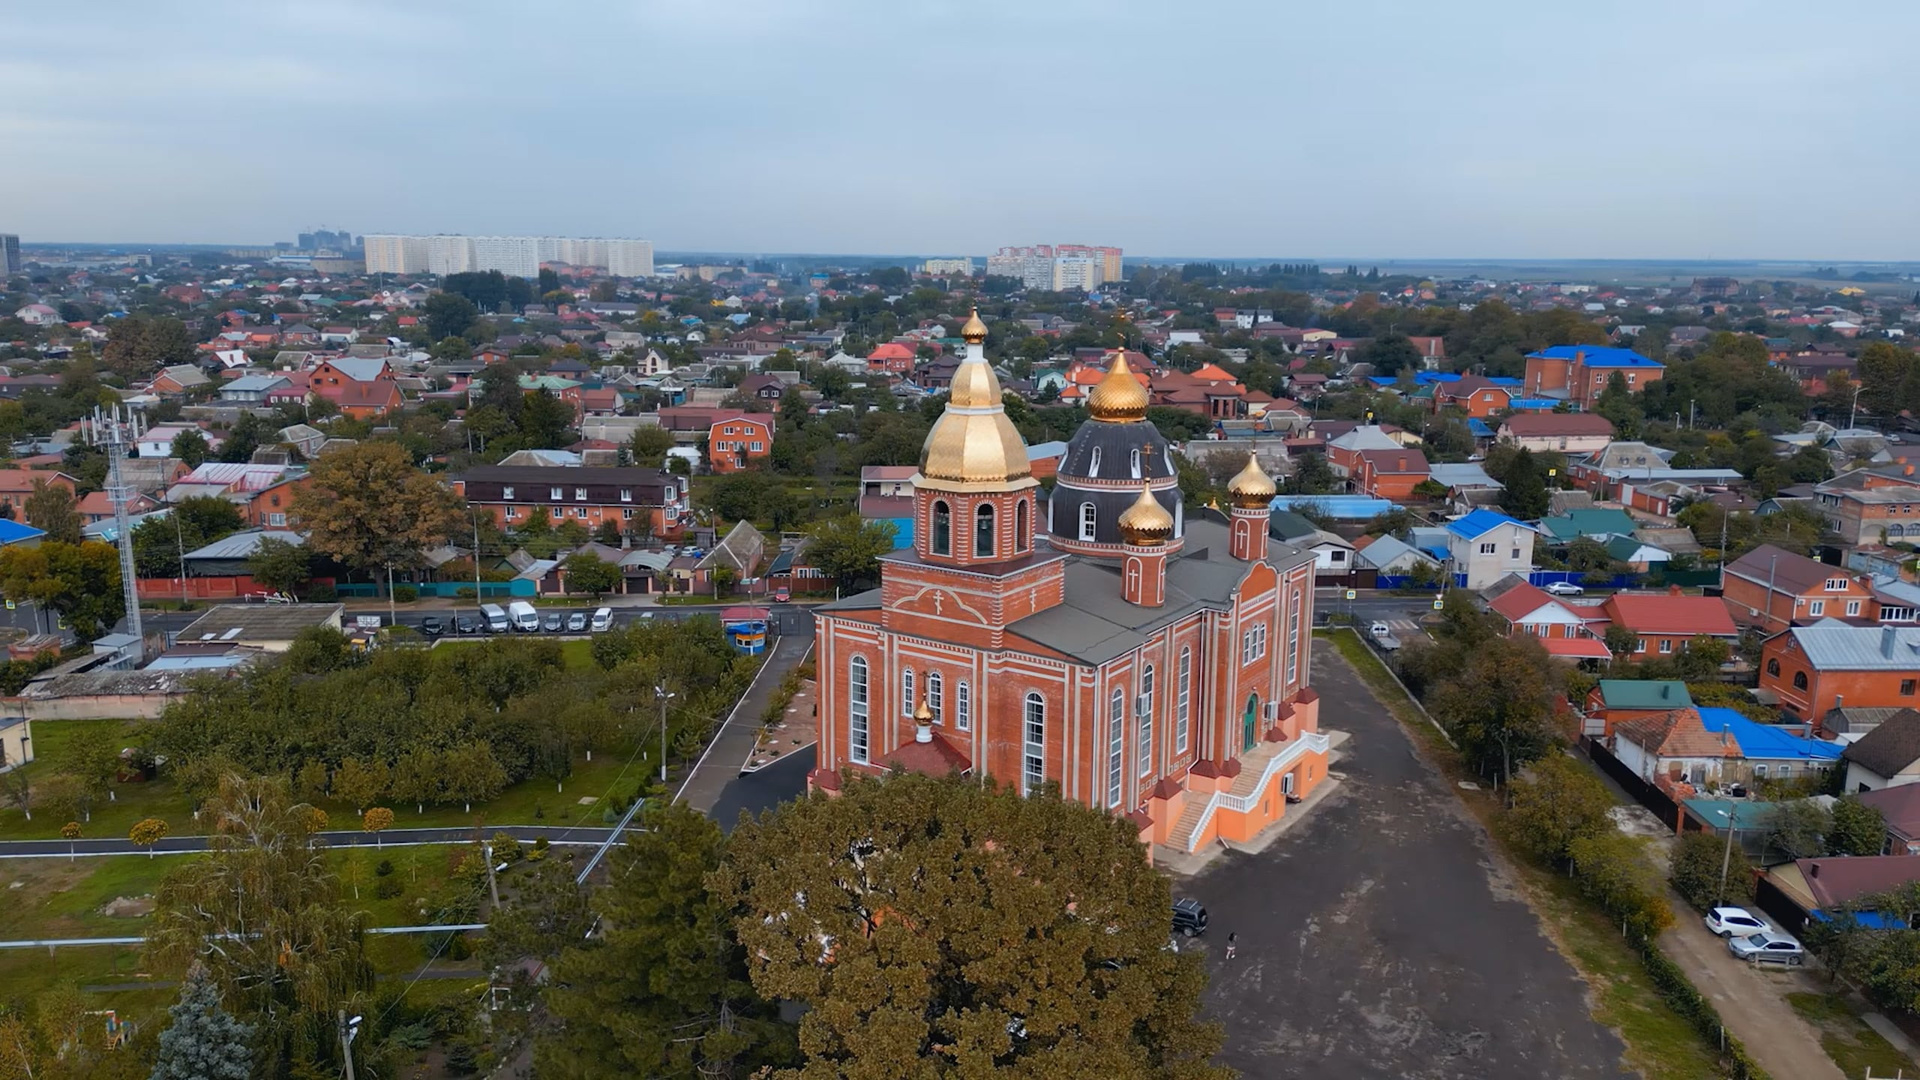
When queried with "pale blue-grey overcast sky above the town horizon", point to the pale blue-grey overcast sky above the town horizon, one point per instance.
{"points": [[1266, 128]]}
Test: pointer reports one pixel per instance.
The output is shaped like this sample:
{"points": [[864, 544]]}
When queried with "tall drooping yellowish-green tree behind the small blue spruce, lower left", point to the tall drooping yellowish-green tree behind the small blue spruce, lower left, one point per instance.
{"points": [[264, 914]]}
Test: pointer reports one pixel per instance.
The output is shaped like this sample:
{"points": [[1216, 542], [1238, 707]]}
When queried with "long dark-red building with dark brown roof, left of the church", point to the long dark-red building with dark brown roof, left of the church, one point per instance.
{"points": [[638, 501]]}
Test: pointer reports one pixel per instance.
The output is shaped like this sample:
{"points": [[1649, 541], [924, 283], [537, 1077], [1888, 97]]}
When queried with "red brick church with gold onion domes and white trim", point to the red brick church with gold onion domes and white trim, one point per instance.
{"points": [[1145, 662]]}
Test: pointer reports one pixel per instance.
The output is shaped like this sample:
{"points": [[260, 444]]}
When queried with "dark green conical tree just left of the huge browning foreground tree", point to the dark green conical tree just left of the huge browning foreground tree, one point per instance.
{"points": [[663, 991]]}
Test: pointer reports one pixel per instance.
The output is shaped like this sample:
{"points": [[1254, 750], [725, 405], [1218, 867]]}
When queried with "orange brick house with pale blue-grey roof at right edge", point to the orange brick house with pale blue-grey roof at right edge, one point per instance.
{"points": [[1813, 670]]}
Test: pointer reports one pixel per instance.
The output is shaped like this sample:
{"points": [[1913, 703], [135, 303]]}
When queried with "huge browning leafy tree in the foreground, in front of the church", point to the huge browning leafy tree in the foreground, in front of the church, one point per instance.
{"points": [[942, 927]]}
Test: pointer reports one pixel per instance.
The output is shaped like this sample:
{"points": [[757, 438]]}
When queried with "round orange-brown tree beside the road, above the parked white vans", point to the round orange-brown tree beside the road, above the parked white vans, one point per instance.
{"points": [[370, 506]]}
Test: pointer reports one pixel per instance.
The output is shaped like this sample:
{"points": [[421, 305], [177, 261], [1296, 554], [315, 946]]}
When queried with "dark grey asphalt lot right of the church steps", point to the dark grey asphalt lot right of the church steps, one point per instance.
{"points": [[1380, 937]]}
